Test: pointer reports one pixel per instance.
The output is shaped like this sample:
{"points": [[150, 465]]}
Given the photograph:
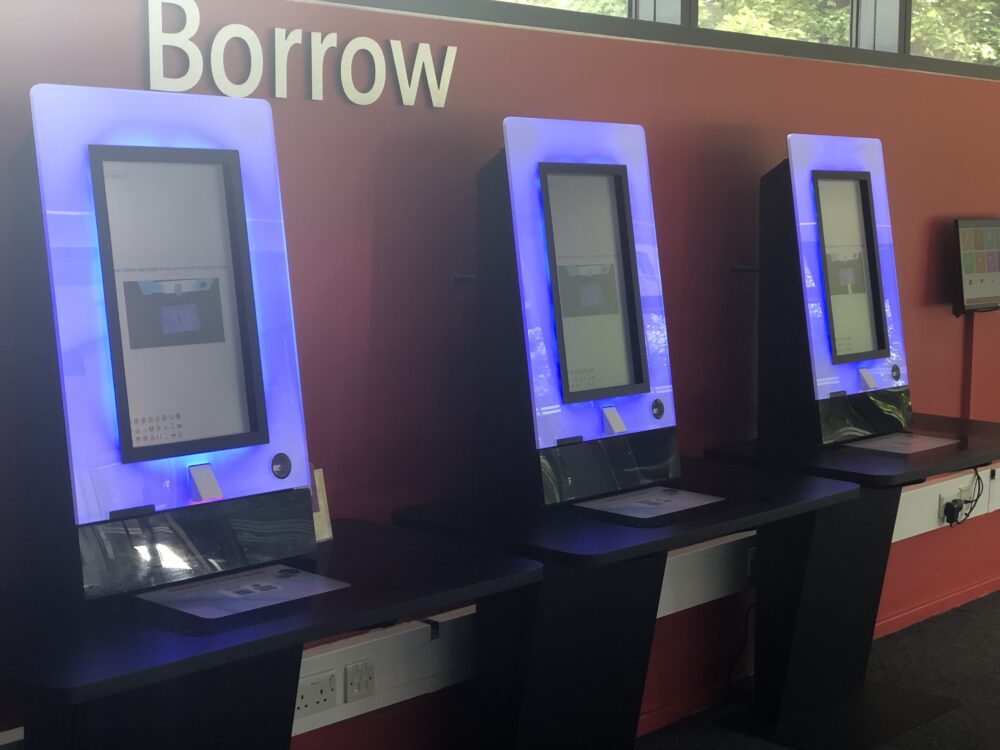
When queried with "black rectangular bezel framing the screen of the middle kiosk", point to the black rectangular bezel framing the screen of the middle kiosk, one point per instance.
{"points": [[632, 303]]}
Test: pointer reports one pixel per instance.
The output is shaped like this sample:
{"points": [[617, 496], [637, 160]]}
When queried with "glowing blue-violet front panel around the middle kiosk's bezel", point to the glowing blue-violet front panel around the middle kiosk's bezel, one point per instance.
{"points": [[528, 143]]}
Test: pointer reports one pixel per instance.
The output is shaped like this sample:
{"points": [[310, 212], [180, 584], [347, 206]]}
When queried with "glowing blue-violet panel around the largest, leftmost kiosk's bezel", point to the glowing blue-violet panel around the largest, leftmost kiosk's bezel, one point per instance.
{"points": [[67, 120]]}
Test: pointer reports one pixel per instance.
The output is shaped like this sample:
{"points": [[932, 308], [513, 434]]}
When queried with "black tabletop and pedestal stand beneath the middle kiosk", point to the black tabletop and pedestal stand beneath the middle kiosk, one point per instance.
{"points": [[581, 673]]}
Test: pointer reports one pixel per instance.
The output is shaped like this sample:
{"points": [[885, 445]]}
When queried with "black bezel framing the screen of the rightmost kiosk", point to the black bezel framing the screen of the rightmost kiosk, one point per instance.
{"points": [[875, 288]]}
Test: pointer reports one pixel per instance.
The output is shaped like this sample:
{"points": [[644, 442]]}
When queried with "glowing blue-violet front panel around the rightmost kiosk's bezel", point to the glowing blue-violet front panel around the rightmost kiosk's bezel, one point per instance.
{"points": [[807, 154]]}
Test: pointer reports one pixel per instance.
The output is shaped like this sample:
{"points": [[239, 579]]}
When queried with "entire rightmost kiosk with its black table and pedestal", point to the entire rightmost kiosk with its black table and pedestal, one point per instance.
{"points": [[834, 401]]}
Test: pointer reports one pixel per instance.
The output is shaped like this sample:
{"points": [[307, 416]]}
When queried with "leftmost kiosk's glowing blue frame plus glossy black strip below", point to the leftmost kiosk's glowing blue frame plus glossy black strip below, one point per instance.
{"points": [[120, 505]]}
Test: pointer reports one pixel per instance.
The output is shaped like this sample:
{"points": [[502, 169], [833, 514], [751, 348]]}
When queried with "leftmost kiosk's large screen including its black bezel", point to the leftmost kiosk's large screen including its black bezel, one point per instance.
{"points": [[179, 299]]}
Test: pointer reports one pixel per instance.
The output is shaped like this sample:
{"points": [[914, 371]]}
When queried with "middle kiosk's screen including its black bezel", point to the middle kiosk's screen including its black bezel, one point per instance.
{"points": [[602, 345]]}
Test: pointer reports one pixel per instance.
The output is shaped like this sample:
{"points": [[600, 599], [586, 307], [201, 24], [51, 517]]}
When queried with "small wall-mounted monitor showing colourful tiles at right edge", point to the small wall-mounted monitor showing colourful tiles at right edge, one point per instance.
{"points": [[979, 251]]}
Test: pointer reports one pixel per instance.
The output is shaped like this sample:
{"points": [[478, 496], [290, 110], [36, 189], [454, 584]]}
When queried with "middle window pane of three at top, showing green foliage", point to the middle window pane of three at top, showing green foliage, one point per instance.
{"points": [[825, 21]]}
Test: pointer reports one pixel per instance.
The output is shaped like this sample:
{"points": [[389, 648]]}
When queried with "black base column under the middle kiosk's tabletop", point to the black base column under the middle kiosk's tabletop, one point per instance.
{"points": [[579, 680]]}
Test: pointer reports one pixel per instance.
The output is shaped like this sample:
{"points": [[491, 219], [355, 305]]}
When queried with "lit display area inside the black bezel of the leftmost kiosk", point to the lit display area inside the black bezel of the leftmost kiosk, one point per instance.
{"points": [[174, 277]]}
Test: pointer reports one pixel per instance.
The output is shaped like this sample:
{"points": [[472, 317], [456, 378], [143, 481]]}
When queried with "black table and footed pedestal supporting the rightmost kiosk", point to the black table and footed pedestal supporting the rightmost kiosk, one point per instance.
{"points": [[821, 582]]}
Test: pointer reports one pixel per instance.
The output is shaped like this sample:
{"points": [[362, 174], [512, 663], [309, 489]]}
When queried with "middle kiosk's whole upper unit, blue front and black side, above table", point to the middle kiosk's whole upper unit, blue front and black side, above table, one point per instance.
{"points": [[574, 331]]}
